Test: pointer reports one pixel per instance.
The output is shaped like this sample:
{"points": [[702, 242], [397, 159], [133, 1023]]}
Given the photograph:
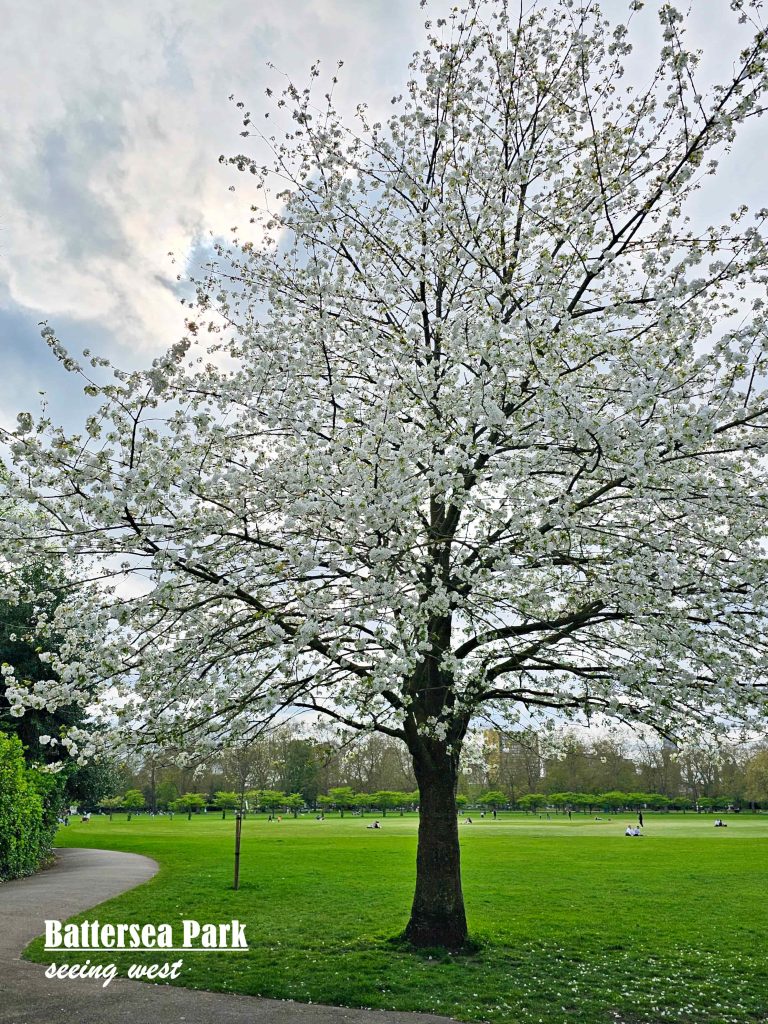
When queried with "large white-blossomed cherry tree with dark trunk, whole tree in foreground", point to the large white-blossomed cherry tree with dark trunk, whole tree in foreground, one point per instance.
{"points": [[473, 422]]}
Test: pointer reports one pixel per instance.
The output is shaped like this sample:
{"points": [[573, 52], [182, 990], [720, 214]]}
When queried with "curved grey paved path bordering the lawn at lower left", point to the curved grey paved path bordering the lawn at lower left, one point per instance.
{"points": [[82, 879]]}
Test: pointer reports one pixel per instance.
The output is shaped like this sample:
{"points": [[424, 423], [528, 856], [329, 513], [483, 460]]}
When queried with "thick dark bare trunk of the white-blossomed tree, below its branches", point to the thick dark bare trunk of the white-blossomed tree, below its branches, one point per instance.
{"points": [[438, 917]]}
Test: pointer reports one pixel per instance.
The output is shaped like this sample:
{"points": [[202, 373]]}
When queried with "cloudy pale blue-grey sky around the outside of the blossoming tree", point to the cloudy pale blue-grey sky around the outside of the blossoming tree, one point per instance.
{"points": [[110, 146]]}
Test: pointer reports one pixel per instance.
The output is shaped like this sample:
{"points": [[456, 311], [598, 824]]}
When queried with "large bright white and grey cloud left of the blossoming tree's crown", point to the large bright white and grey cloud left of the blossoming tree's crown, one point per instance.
{"points": [[111, 147]]}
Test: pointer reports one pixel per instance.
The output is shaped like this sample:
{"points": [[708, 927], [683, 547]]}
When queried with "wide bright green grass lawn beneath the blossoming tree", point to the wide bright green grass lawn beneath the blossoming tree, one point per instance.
{"points": [[576, 922]]}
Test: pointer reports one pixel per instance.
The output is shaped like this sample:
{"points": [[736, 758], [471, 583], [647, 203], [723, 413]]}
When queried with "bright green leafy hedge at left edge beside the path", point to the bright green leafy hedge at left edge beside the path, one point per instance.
{"points": [[29, 810]]}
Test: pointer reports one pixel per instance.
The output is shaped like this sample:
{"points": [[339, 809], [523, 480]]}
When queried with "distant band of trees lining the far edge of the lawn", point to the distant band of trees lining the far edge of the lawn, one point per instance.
{"points": [[314, 764]]}
